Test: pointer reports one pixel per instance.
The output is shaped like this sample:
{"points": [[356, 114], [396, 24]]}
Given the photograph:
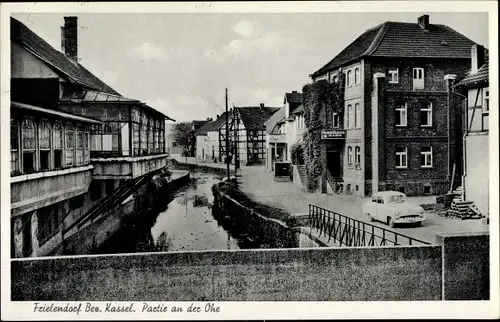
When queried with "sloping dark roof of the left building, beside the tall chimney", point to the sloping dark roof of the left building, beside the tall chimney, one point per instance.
{"points": [[75, 72]]}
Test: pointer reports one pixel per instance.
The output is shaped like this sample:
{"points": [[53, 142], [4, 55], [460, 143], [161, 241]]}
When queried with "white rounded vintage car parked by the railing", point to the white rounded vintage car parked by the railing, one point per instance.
{"points": [[392, 207]]}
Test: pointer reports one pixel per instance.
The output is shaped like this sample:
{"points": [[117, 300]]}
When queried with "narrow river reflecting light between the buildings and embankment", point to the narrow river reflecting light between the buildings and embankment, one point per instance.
{"points": [[185, 225]]}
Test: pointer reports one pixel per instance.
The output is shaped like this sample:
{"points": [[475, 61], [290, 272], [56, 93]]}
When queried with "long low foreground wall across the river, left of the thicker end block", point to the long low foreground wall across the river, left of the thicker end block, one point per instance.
{"points": [[316, 274]]}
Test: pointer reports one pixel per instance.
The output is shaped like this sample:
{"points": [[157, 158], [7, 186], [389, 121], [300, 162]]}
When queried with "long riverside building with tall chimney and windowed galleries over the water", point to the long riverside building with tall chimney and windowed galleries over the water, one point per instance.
{"points": [[74, 139]]}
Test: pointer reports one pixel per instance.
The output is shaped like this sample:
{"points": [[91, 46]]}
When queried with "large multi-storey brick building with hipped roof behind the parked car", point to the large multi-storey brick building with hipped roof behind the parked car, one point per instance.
{"points": [[395, 130]]}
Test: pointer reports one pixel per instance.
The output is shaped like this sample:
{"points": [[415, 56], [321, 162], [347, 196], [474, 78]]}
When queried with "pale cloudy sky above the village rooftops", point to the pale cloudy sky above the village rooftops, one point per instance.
{"points": [[180, 64]]}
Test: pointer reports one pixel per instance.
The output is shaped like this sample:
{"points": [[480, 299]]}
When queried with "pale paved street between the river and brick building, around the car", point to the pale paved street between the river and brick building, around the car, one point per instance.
{"points": [[260, 186]]}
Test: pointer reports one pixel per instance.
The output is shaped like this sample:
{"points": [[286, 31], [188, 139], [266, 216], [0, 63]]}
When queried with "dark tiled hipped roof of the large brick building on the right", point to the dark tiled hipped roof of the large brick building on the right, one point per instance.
{"points": [[402, 39]]}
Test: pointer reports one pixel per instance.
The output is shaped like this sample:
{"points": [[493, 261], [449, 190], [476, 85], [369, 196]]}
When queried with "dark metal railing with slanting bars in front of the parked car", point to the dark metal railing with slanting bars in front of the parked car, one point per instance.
{"points": [[347, 231]]}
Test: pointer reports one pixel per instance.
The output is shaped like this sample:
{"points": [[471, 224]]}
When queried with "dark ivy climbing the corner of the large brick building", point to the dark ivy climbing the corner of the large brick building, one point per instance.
{"points": [[320, 100]]}
